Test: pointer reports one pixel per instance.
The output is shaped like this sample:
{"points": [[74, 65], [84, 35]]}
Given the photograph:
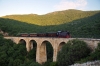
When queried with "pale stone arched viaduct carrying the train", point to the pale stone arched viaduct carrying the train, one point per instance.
{"points": [[56, 43]]}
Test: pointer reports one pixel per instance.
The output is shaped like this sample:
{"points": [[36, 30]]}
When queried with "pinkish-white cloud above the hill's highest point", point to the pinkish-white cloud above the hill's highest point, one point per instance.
{"points": [[71, 4]]}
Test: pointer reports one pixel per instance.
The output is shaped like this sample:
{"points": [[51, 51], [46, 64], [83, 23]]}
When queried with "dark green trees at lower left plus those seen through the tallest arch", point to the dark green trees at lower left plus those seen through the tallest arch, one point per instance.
{"points": [[12, 54]]}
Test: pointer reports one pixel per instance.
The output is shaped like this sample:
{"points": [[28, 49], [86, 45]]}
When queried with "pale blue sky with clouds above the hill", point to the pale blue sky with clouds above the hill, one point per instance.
{"points": [[11, 7]]}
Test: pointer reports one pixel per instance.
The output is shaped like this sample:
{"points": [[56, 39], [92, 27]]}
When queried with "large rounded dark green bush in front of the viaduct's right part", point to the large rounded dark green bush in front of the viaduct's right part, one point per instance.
{"points": [[71, 52]]}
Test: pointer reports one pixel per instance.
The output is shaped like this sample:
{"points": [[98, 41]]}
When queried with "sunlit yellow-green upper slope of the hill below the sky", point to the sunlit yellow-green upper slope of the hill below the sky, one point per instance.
{"points": [[54, 18]]}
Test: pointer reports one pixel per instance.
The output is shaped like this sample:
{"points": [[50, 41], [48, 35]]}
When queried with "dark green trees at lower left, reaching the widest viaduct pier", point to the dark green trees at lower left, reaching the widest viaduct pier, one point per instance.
{"points": [[12, 54]]}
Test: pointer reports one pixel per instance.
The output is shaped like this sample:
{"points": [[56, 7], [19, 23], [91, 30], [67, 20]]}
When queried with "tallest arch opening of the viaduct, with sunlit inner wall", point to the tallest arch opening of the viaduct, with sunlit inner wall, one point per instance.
{"points": [[46, 51]]}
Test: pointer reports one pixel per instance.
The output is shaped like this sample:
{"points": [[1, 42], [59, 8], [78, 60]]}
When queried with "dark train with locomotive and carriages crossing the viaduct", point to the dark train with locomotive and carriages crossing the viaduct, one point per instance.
{"points": [[59, 34]]}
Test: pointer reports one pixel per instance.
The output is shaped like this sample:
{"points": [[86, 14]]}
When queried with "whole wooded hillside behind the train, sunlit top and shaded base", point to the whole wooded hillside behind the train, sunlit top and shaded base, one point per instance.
{"points": [[78, 23]]}
